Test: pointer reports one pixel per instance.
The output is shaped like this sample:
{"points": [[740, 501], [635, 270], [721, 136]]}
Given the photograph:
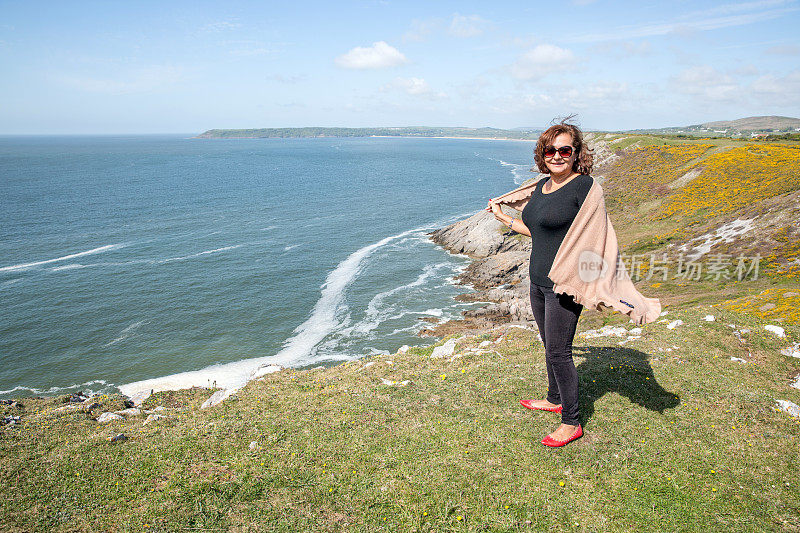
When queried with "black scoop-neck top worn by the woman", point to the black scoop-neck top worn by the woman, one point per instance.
{"points": [[548, 217]]}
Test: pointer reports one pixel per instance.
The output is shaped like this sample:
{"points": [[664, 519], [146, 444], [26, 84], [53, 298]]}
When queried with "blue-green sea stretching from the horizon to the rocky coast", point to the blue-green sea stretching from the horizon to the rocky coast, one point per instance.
{"points": [[167, 261]]}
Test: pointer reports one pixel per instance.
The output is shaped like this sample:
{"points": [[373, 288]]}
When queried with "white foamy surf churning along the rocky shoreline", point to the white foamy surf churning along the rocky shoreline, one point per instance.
{"points": [[339, 327]]}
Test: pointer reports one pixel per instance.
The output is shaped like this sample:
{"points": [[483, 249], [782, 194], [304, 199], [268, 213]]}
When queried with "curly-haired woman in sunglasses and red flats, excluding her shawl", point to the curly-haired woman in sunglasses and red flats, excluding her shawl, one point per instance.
{"points": [[551, 208]]}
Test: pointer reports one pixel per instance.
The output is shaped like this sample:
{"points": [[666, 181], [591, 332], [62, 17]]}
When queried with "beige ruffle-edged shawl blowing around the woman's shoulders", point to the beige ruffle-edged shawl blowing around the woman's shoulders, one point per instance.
{"points": [[587, 265]]}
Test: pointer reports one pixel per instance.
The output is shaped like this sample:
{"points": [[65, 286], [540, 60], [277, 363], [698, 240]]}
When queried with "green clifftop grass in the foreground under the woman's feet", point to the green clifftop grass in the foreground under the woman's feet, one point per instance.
{"points": [[678, 437]]}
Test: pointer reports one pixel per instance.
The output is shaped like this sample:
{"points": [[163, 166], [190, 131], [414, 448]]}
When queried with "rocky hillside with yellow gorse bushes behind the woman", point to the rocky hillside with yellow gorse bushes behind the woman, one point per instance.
{"points": [[711, 222]]}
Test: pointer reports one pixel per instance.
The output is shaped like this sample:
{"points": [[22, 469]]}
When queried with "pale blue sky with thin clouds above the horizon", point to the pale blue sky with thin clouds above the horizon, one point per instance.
{"points": [[116, 67]]}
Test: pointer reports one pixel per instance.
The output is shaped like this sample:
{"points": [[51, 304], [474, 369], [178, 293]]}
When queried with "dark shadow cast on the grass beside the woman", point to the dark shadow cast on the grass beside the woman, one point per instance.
{"points": [[622, 370]]}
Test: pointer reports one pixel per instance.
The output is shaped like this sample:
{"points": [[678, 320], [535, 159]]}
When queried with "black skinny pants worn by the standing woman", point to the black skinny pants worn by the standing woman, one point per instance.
{"points": [[557, 317]]}
